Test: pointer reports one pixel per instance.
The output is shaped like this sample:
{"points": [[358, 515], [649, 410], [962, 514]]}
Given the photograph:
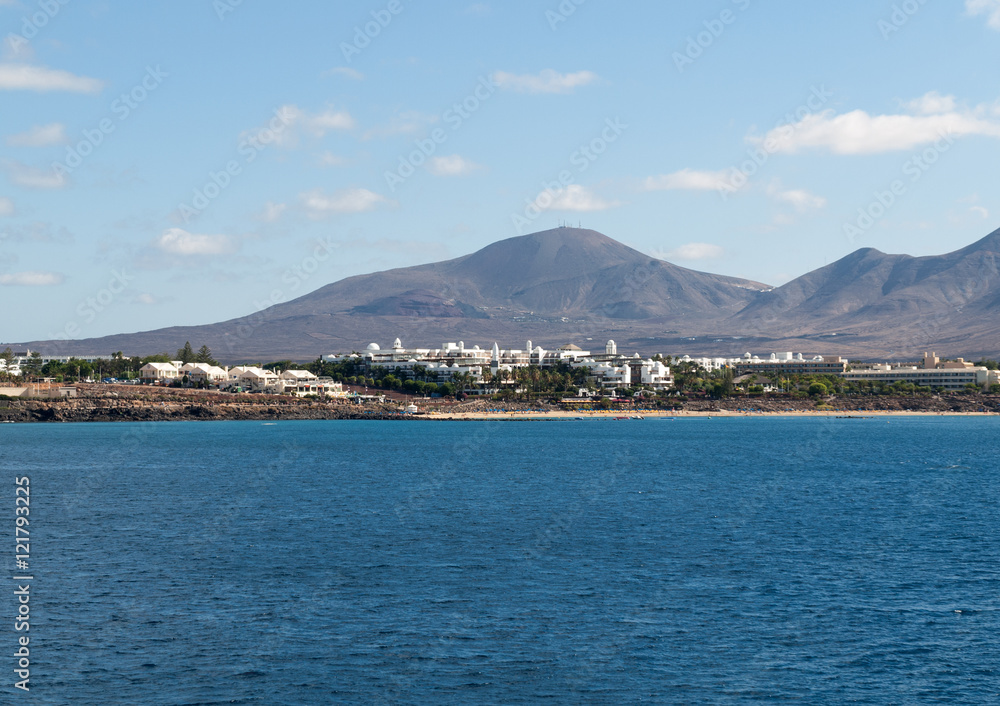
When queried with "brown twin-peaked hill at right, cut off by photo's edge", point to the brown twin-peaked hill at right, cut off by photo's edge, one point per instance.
{"points": [[895, 303]]}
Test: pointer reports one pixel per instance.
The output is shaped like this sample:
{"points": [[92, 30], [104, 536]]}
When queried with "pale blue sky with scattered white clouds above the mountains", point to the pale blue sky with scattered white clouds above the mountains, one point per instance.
{"points": [[185, 162]]}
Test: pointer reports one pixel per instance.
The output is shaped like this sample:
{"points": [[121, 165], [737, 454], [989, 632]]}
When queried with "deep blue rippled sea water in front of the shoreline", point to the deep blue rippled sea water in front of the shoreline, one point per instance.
{"points": [[696, 561]]}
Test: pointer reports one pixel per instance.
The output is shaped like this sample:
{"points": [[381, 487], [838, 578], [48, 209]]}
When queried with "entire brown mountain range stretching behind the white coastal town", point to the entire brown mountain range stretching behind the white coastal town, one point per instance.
{"points": [[573, 285]]}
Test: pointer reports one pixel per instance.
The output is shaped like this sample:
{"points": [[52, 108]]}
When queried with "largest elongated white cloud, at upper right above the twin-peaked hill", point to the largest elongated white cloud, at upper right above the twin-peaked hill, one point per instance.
{"points": [[858, 132]]}
